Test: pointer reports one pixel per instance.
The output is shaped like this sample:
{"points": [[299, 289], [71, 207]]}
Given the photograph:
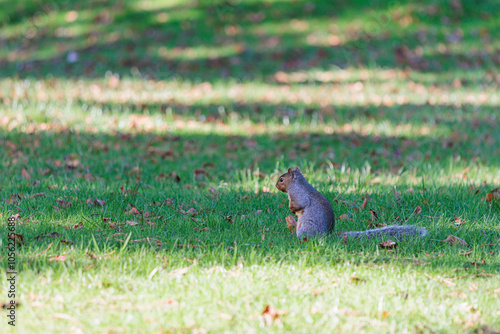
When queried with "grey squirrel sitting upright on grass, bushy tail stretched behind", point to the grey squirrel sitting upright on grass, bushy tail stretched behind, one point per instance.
{"points": [[315, 213]]}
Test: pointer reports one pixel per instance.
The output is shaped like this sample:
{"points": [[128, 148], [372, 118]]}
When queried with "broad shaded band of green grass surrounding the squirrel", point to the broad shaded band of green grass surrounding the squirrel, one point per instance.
{"points": [[78, 166]]}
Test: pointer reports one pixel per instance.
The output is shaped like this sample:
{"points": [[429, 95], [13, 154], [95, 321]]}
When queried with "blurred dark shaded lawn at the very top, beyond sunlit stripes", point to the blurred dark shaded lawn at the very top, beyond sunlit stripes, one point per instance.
{"points": [[216, 41]]}
